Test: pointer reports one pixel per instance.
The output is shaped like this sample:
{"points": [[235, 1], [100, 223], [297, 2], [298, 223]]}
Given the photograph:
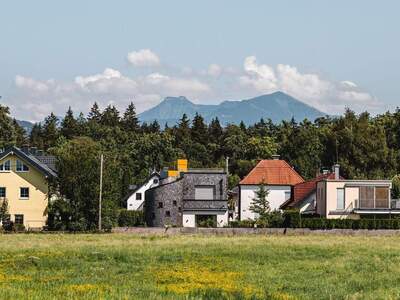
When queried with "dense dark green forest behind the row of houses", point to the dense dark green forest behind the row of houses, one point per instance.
{"points": [[365, 146]]}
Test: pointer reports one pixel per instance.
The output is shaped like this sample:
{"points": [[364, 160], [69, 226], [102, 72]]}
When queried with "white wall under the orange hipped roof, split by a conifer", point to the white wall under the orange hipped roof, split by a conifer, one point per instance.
{"points": [[276, 198]]}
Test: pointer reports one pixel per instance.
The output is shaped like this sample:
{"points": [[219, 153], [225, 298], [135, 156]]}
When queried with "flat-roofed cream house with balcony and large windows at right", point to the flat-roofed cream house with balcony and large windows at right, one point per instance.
{"points": [[339, 198]]}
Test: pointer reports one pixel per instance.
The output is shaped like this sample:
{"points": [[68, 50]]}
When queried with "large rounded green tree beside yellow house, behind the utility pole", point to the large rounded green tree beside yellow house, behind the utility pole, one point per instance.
{"points": [[78, 182]]}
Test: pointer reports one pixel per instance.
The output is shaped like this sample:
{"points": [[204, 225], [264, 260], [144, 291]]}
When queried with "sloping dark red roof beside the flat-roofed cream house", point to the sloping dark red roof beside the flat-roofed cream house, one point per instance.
{"points": [[304, 189]]}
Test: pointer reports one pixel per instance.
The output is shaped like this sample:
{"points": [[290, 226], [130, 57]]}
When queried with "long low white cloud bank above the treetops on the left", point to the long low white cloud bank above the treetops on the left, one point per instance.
{"points": [[108, 87]]}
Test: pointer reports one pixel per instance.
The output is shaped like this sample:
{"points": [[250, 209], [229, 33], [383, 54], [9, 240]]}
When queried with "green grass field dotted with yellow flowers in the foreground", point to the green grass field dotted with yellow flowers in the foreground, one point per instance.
{"points": [[123, 266]]}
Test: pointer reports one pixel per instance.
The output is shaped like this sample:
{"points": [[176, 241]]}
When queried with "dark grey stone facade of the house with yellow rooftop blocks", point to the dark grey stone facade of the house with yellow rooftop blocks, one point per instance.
{"points": [[179, 195]]}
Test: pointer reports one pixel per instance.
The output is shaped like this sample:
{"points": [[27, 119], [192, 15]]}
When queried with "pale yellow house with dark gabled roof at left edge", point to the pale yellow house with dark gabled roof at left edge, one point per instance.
{"points": [[24, 176]]}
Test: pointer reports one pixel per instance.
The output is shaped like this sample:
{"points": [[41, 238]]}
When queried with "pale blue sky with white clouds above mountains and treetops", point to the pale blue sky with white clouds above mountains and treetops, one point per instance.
{"points": [[328, 54]]}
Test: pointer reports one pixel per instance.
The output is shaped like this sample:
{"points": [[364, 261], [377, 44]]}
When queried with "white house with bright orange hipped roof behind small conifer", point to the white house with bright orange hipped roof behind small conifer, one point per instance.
{"points": [[279, 179]]}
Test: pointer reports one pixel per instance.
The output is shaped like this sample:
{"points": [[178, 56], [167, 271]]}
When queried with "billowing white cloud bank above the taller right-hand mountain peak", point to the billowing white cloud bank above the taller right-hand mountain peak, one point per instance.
{"points": [[326, 95]]}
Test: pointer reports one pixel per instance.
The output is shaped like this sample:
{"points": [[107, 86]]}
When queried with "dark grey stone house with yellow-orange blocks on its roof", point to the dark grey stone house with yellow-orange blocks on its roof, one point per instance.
{"points": [[188, 197]]}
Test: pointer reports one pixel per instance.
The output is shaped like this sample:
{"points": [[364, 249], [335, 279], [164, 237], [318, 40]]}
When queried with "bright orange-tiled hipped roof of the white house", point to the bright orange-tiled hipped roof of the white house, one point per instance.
{"points": [[272, 172]]}
